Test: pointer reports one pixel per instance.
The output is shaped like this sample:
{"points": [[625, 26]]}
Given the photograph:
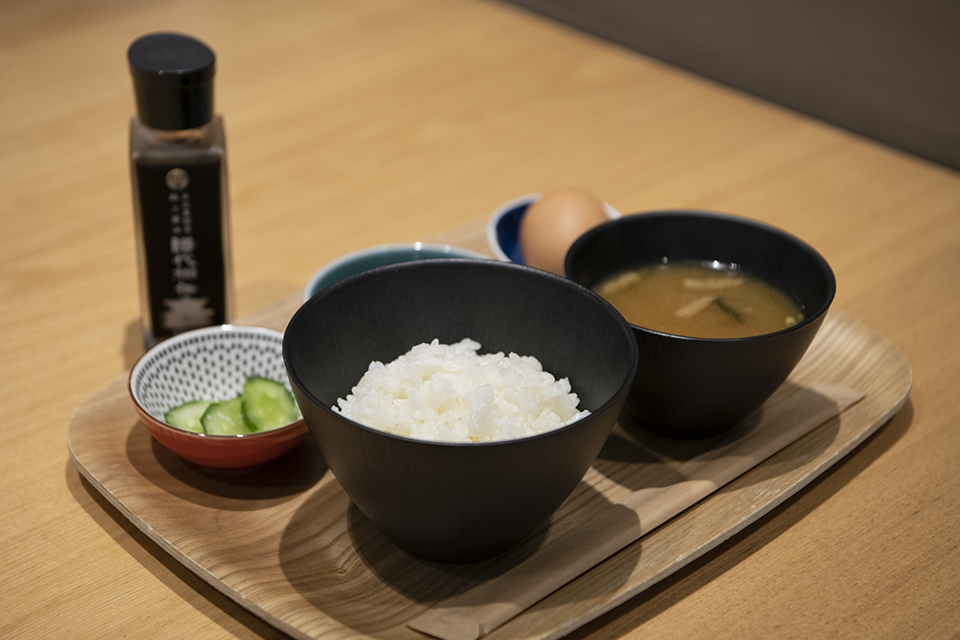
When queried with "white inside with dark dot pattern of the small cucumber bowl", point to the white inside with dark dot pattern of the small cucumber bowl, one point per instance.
{"points": [[206, 364]]}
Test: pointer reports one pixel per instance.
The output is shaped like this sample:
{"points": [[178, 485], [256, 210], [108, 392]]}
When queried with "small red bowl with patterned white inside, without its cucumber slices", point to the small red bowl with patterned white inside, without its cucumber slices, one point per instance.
{"points": [[211, 364]]}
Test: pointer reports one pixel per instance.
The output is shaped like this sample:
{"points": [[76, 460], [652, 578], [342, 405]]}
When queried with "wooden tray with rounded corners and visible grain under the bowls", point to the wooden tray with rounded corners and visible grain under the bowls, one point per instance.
{"points": [[284, 541]]}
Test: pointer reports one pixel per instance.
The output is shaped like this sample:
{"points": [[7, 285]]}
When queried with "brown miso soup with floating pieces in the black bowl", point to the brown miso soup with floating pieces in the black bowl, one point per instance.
{"points": [[700, 300]]}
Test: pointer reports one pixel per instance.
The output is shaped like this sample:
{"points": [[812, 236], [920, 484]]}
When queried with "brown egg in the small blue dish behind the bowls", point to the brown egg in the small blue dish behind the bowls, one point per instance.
{"points": [[552, 223]]}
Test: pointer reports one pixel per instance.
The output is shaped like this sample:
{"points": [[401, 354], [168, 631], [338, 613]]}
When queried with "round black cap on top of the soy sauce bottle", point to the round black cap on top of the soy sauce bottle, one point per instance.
{"points": [[172, 80]]}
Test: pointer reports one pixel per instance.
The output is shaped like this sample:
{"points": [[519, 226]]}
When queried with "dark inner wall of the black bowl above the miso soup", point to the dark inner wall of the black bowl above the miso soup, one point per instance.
{"points": [[761, 250]]}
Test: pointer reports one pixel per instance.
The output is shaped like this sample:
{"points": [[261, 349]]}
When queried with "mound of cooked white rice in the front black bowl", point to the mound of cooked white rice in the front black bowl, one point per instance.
{"points": [[449, 393]]}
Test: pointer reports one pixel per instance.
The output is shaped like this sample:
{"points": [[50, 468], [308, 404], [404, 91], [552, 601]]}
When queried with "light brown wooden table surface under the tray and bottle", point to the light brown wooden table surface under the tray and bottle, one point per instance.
{"points": [[352, 124]]}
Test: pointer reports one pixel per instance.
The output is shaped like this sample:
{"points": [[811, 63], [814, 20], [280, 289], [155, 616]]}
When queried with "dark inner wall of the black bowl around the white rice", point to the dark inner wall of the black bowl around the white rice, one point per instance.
{"points": [[378, 315]]}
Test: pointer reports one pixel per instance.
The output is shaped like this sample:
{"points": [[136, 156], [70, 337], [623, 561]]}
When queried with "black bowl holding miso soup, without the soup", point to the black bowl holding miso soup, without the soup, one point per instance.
{"points": [[699, 387]]}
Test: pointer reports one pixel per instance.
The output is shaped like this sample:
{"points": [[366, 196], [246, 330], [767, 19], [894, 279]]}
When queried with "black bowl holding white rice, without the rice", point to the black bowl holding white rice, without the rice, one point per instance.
{"points": [[453, 502]]}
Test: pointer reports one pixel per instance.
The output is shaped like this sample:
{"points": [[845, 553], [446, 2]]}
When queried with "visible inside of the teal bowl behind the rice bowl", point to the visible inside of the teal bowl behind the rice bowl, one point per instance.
{"points": [[370, 258]]}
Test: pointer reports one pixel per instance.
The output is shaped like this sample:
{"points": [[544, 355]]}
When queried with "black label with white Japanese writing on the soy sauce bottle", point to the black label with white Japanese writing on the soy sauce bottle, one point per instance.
{"points": [[182, 225]]}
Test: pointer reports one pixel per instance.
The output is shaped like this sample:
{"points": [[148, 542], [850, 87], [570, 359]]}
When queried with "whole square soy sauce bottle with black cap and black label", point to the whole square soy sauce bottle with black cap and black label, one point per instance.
{"points": [[180, 196]]}
